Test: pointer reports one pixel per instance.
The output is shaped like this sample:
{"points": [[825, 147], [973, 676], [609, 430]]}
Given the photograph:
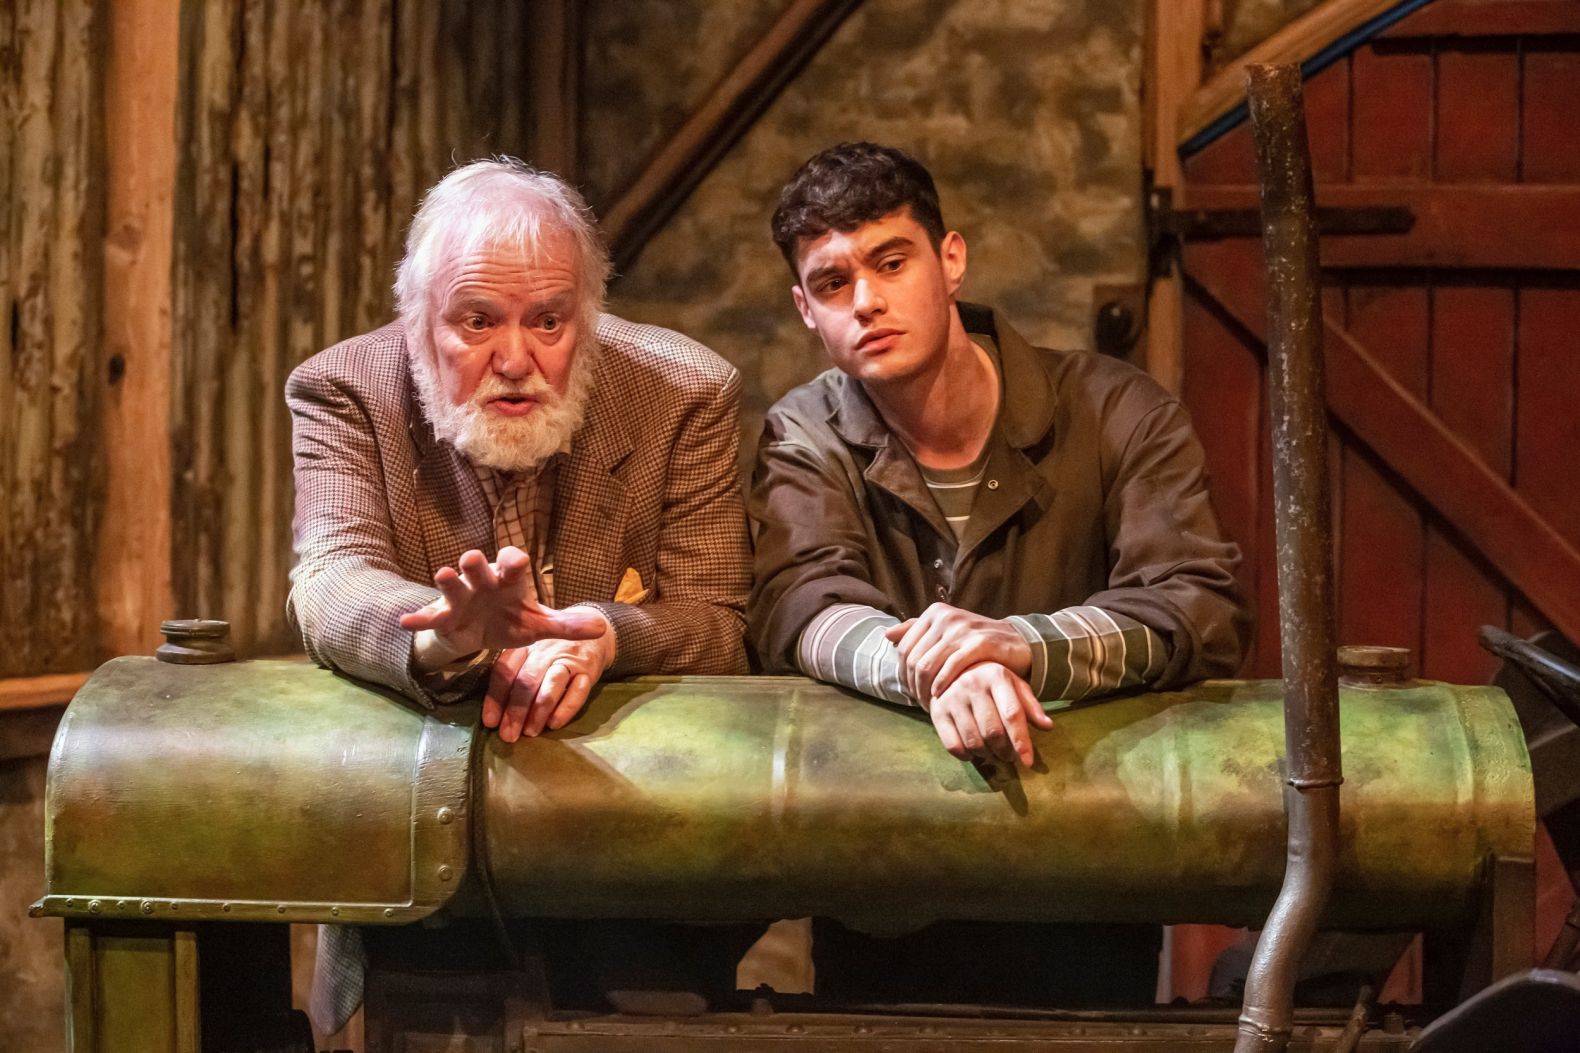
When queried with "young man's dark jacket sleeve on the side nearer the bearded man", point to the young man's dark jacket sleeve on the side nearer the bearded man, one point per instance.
{"points": [[811, 543]]}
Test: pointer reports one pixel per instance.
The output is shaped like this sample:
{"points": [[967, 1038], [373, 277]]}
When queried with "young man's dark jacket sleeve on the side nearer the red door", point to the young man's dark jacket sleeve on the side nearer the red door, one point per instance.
{"points": [[1172, 567]]}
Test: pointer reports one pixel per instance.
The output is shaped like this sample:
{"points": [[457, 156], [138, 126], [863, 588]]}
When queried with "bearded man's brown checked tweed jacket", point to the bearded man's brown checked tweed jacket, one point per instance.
{"points": [[650, 486]]}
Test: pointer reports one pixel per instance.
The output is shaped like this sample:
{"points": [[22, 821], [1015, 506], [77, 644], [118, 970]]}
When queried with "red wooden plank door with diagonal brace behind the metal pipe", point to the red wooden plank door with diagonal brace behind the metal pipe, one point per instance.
{"points": [[1454, 360]]}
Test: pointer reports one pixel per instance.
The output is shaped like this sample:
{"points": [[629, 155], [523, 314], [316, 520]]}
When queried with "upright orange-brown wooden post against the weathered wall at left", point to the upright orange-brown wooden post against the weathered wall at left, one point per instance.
{"points": [[134, 560]]}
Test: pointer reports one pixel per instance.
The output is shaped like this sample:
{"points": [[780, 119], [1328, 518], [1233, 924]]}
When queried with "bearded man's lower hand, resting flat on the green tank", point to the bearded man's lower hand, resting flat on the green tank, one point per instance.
{"points": [[544, 685]]}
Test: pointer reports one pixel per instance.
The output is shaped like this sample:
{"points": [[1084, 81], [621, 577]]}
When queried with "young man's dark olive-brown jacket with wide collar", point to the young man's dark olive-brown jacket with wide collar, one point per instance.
{"points": [[1094, 494]]}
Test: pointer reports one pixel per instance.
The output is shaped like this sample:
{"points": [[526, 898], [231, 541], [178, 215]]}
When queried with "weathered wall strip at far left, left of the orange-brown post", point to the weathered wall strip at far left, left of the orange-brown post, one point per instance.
{"points": [[51, 227]]}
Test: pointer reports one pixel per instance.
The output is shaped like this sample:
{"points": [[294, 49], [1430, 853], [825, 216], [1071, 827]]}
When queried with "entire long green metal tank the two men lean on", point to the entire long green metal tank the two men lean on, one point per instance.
{"points": [[276, 791]]}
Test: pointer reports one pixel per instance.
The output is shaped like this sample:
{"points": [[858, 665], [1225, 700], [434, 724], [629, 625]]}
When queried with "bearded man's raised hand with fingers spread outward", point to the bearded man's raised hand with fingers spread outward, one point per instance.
{"points": [[486, 605]]}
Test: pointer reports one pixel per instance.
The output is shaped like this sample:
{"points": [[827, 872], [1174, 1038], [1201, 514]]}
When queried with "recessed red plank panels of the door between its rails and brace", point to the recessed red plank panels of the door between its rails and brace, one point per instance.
{"points": [[1484, 347]]}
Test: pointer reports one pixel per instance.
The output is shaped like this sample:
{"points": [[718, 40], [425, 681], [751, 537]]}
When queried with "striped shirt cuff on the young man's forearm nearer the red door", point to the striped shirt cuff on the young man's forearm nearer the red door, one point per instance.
{"points": [[1085, 652]]}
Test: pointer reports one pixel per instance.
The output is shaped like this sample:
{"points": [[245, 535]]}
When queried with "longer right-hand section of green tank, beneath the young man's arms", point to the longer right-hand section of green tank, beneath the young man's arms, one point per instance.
{"points": [[778, 798]]}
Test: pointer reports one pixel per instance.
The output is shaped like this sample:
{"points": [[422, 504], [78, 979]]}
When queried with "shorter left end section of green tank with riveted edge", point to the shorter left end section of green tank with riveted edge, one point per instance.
{"points": [[252, 791]]}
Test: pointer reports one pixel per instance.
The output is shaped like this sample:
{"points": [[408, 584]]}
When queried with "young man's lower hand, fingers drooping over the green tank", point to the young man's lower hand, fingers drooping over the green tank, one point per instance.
{"points": [[985, 714]]}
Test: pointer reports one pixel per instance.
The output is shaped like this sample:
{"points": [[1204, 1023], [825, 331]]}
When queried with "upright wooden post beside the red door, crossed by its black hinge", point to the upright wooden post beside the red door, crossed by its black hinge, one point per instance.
{"points": [[1173, 74]]}
